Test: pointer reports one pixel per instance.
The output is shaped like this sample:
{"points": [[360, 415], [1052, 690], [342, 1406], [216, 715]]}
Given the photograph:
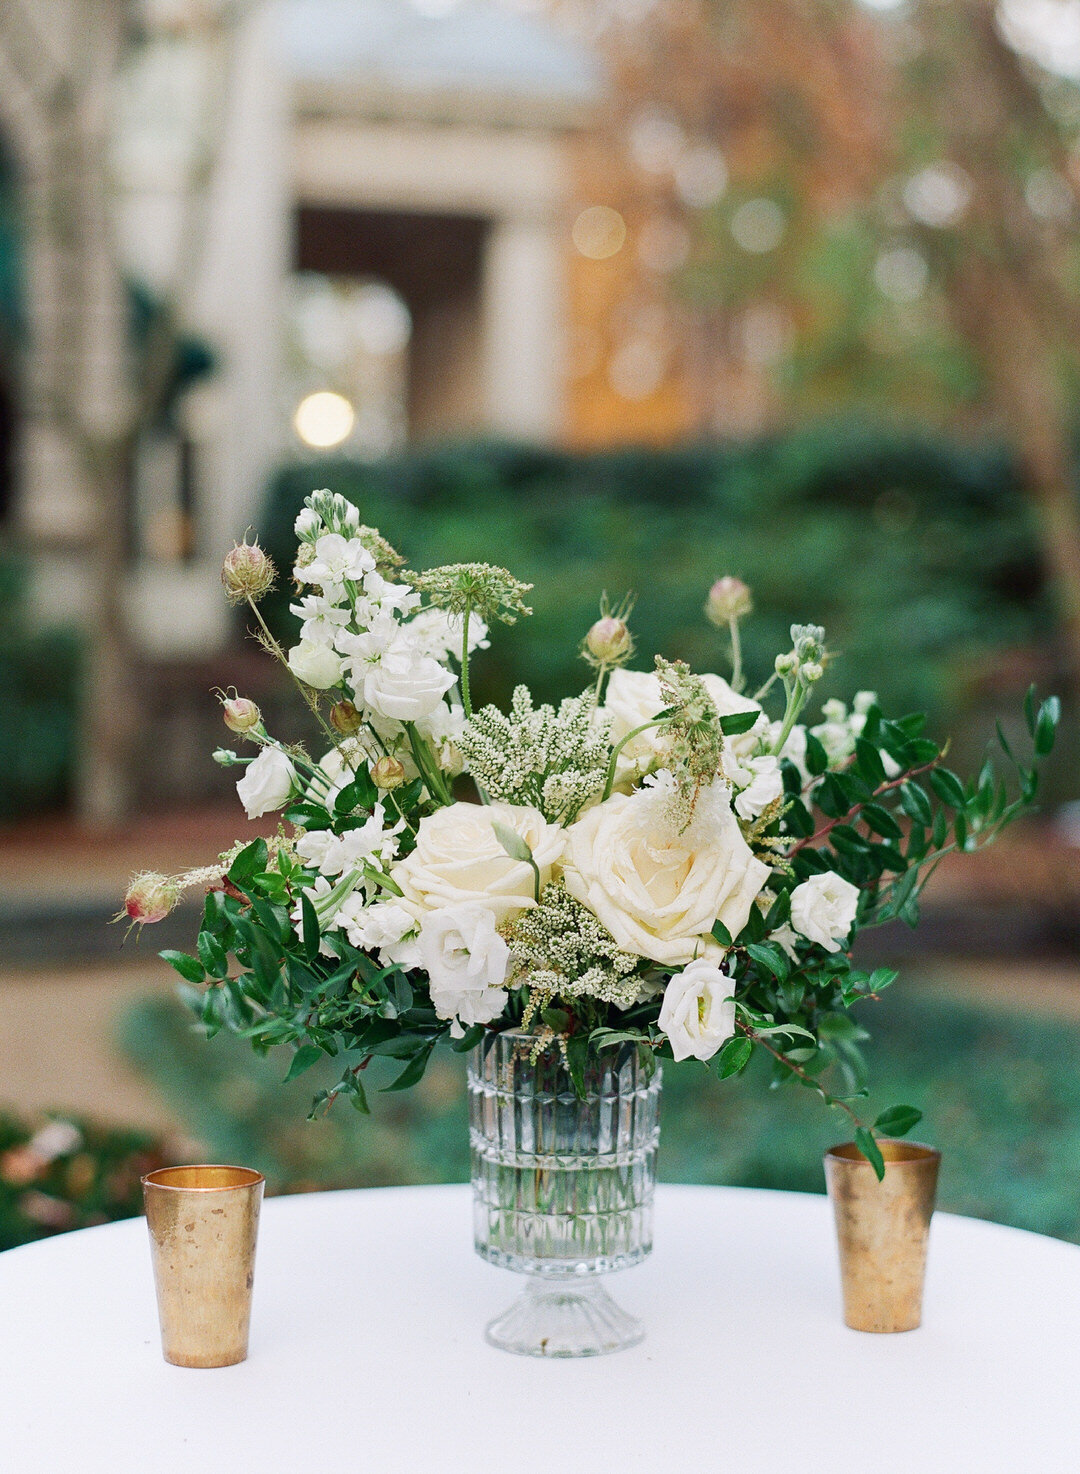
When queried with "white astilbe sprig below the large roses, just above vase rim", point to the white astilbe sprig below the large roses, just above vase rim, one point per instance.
{"points": [[561, 950]]}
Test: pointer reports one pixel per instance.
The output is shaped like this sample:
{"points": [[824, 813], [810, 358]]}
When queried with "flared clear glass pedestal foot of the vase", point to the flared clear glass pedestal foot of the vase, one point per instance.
{"points": [[565, 1318]]}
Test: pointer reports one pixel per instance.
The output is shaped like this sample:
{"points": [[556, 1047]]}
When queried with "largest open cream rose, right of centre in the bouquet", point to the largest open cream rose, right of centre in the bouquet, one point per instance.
{"points": [[659, 891]]}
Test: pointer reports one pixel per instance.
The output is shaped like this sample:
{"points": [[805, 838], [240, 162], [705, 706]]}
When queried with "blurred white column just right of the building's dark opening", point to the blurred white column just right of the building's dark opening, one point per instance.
{"points": [[524, 328]]}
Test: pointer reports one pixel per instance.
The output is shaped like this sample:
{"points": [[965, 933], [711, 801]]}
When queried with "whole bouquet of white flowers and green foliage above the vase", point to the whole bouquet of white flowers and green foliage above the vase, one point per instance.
{"points": [[662, 863]]}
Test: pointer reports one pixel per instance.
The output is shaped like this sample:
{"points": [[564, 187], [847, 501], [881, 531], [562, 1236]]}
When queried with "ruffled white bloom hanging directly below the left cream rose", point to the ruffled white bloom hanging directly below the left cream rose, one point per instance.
{"points": [[466, 962]]}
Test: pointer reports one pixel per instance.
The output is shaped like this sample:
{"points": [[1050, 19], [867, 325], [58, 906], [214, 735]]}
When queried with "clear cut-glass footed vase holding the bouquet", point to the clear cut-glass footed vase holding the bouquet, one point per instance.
{"points": [[564, 1189]]}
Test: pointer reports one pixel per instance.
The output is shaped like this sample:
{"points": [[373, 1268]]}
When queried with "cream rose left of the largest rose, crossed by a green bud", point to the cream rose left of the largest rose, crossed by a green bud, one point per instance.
{"points": [[459, 859]]}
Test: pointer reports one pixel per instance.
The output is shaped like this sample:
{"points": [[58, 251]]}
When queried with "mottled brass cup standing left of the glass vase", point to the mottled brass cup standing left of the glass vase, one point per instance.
{"points": [[204, 1223]]}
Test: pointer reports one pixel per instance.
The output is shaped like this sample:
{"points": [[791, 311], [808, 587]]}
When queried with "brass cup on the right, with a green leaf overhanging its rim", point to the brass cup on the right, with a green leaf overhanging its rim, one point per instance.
{"points": [[883, 1232]]}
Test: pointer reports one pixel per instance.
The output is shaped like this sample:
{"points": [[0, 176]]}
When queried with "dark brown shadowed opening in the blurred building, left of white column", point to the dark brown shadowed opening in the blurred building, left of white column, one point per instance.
{"points": [[435, 265]]}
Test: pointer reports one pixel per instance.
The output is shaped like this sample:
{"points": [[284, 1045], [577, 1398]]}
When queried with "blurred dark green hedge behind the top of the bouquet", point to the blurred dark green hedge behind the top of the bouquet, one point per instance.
{"points": [[919, 555]]}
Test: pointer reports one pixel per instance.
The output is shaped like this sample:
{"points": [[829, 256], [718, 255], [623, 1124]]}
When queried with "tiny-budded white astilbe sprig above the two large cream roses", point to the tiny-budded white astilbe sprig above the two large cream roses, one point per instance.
{"points": [[536, 755]]}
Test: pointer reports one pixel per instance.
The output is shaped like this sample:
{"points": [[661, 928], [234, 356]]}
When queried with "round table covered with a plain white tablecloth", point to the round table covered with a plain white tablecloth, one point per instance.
{"points": [[368, 1354]]}
